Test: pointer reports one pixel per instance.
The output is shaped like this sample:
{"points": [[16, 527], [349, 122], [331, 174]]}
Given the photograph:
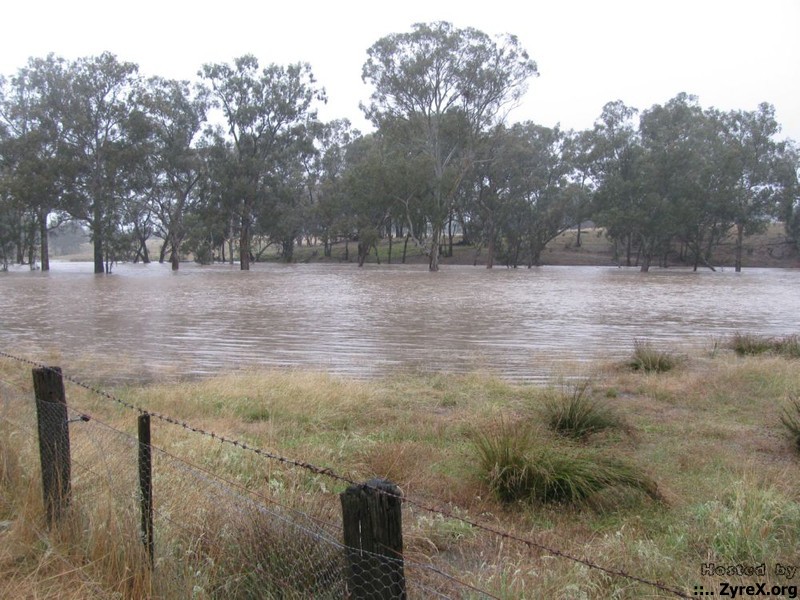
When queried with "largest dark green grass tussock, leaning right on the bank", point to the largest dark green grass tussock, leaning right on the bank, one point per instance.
{"points": [[518, 468]]}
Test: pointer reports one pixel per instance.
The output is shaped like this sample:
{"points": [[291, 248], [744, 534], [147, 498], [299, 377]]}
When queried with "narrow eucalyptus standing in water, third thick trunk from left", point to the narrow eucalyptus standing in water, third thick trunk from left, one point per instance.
{"points": [[175, 116]]}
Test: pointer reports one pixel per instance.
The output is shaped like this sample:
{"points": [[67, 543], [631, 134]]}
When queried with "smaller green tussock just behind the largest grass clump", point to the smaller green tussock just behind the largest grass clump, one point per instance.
{"points": [[574, 413]]}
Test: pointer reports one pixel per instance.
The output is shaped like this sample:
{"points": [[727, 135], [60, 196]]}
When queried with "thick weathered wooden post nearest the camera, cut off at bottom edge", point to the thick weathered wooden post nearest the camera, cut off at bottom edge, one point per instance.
{"points": [[373, 538]]}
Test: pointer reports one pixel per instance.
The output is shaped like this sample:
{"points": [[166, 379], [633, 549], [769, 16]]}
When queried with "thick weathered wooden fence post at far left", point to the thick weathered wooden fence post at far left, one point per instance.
{"points": [[53, 428]]}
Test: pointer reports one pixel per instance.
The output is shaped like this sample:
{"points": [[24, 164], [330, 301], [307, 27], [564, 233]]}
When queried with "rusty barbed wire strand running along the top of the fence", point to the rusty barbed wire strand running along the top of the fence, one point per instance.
{"points": [[329, 472]]}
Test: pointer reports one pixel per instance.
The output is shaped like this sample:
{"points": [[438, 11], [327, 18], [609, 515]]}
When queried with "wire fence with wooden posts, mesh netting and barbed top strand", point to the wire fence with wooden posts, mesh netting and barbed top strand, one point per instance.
{"points": [[233, 520]]}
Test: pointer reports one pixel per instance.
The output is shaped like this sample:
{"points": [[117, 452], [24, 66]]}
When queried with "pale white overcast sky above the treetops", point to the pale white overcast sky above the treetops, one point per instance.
{"points": [[732, 54]]}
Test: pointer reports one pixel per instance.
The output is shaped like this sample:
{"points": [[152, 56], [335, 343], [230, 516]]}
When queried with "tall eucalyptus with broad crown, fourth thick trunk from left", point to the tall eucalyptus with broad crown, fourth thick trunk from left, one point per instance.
{"points": [[266, 112]]}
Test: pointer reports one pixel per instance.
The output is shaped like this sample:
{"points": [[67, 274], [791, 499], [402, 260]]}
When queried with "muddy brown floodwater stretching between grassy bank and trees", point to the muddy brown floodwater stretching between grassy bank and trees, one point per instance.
{"points": [[525, 324]]}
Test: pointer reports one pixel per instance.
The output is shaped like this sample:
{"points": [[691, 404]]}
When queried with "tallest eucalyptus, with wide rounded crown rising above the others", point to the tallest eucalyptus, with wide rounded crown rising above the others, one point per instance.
{"points": [[445, 85]]}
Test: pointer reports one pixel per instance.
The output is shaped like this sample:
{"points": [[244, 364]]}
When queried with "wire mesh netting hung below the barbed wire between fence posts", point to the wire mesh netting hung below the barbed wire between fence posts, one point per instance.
{"points": [[227, 522]]}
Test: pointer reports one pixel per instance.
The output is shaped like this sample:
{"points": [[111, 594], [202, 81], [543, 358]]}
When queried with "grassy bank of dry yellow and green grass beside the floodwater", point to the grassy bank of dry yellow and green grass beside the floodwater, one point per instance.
{"points": [[706, 471]]}
